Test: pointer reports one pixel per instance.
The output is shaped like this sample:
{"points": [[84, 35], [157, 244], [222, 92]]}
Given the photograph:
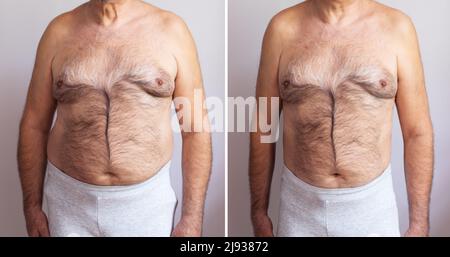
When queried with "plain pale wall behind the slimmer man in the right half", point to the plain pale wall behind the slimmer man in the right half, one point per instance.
{"points": [[248, 20]]}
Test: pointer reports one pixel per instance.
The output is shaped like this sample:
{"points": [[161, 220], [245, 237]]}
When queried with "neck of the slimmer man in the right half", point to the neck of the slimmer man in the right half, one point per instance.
{"points": [[335, 11]]}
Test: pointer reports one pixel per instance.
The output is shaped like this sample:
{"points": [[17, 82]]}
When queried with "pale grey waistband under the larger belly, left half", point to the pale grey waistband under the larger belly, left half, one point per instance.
{"points": [[163, 175]]}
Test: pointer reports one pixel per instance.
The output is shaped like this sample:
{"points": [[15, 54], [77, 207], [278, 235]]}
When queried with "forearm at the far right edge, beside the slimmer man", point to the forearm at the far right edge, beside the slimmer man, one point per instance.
{"points": [[419, 174]]}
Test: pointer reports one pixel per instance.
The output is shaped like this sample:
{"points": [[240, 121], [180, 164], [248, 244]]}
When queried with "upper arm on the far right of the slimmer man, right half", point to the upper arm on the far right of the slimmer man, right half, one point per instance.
{"points": [[411, 100]]}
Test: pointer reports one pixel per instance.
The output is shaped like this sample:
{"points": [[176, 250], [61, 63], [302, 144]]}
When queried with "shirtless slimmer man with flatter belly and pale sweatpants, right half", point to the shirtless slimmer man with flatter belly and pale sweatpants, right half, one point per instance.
{"points": [[339, 66]]}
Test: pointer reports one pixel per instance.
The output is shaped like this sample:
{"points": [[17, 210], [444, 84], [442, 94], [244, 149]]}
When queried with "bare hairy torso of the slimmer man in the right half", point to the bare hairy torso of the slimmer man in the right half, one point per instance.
{"points": [[338, 86]]}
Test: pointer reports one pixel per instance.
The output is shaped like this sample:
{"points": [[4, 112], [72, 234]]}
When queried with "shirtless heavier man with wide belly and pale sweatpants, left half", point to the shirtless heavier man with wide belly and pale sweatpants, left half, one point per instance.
{"points": [[111, 70]]}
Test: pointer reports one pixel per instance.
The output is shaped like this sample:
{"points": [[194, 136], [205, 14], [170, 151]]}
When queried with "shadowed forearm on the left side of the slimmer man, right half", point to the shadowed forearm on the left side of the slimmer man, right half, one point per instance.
{"points": [[262, 159]]}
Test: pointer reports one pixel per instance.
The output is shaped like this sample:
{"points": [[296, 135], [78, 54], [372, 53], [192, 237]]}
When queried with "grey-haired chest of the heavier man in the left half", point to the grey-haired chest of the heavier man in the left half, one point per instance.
{"points": [[111, 69]]}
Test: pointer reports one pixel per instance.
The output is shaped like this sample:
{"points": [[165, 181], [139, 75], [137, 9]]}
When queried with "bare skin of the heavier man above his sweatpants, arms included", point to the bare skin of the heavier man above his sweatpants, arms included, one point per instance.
{"points": [[111, 70]]}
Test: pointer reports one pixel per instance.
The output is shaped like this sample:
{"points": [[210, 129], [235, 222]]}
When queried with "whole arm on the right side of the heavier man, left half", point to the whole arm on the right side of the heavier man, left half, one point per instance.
{"points": [[196, 152]]}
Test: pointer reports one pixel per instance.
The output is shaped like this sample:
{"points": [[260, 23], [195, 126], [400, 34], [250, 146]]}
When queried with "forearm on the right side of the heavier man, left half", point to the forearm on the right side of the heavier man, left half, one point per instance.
{"points": [[197, 157]]}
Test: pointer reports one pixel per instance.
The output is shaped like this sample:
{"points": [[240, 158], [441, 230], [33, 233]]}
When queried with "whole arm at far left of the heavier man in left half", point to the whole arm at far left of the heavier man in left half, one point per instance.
{"points": [[34, 128]]}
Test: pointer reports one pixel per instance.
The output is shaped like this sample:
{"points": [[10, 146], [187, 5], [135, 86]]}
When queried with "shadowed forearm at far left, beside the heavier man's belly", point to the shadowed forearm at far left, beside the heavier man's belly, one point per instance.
{"points": [[32, 156]]}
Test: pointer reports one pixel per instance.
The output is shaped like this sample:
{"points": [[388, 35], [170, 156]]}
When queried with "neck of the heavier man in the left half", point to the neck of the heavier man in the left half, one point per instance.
{"points": [[107, 12]]}
